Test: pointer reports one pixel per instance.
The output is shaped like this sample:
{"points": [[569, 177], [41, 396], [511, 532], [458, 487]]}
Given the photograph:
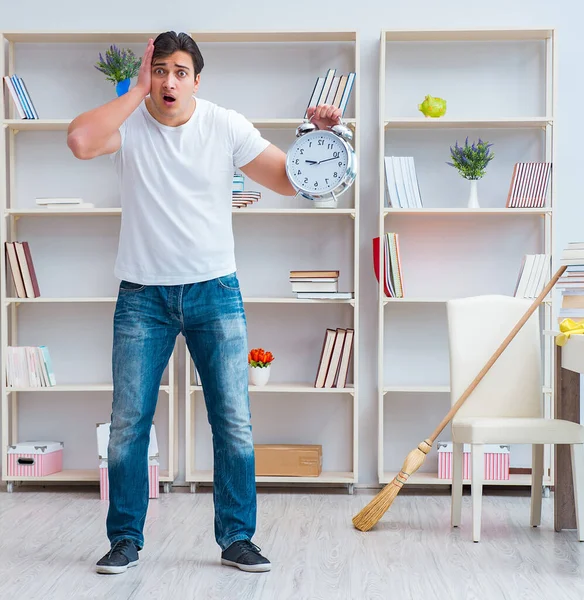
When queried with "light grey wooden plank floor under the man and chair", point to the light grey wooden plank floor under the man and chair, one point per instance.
{"points": [[50, 540]]}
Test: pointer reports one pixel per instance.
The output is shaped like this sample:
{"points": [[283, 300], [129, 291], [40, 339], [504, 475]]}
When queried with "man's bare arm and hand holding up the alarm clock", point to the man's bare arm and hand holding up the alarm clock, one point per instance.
{"points": [[269, 167]]}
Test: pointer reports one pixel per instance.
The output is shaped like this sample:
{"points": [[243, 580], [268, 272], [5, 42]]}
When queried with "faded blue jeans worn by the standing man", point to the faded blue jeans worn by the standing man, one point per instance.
{"points": [[147, 322]]}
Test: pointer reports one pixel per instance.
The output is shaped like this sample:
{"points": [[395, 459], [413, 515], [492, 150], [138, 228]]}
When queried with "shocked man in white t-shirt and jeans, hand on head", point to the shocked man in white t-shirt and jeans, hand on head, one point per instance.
{"points": [[174, 155]]}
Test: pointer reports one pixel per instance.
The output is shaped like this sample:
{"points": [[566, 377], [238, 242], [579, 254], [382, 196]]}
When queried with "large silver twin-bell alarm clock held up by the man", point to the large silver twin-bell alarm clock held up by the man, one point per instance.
{"points": [[321, 163]]}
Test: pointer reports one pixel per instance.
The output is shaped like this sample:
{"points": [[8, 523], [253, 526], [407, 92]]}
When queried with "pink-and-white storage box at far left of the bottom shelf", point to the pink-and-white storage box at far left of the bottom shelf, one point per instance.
{"points": [[35, 459]]}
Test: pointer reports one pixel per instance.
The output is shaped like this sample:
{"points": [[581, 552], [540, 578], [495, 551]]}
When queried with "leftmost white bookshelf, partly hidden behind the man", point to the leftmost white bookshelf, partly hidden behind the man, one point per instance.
{"points": [[18, 208]]}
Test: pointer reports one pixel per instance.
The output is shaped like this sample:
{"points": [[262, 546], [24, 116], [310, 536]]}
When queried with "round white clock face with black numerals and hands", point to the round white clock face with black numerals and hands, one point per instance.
{"points": [[317, 162]]}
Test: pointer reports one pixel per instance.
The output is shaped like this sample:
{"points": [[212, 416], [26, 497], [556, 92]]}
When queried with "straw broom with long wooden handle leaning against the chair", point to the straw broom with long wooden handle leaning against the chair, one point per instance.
{"points": [[371, 514]]}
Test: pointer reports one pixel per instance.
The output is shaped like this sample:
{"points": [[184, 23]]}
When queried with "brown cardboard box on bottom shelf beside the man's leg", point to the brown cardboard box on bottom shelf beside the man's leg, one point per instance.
{"points": [[288, 460]]}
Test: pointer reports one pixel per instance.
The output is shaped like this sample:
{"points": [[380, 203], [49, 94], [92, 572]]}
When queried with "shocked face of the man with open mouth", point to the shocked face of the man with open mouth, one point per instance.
{"points": [[173, 84]]}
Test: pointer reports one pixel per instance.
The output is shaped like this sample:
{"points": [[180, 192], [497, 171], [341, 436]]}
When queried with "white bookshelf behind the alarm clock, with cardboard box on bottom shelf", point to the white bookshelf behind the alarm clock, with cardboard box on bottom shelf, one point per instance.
{"points": [[281, 411]]}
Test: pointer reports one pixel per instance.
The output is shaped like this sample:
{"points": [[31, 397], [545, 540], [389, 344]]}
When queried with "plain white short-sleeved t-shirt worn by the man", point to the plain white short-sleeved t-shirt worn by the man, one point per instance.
{"points": [[176, 185]]}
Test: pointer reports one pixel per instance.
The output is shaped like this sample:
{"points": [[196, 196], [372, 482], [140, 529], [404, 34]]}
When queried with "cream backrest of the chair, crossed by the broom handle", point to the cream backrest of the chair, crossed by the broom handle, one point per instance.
{"points": [[513, 385]]}
